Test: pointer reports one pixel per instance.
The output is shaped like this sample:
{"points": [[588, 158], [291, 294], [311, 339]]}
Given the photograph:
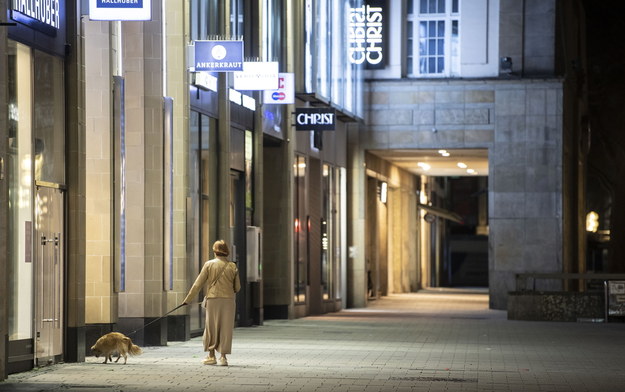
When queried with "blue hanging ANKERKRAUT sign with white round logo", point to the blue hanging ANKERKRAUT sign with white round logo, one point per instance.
{"points": [[218, 56]]}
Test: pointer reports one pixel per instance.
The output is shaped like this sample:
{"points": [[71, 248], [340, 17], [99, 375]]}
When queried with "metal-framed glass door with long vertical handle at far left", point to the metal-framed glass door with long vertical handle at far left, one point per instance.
{"points": [[49, 239]]}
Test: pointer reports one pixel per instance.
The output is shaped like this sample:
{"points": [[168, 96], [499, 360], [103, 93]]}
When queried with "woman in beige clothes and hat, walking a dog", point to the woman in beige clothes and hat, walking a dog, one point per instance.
{"points": [[220, 280]]}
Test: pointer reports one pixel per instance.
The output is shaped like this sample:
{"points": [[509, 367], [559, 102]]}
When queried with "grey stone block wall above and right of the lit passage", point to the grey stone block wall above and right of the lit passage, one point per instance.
{"points": [[519, 122]]}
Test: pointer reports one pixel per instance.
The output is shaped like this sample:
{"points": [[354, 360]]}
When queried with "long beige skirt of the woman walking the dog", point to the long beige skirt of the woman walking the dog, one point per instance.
{"points": [[219, 324]]}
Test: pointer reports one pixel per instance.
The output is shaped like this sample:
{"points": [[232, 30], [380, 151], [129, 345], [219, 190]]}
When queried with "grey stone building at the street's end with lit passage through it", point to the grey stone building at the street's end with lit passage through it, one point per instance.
{"points": [[478, 83]]}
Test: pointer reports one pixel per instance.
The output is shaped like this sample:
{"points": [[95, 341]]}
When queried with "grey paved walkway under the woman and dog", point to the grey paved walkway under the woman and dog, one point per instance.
{"points": [[444, 340]]}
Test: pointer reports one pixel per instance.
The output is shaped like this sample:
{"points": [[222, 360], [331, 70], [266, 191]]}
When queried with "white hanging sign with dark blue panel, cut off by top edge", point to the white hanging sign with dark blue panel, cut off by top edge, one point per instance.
{"points": [[120, 9]]}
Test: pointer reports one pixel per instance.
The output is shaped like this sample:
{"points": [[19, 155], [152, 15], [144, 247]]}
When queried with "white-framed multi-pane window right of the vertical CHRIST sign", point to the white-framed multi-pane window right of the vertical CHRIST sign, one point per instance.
{"points": [[432, 33]]}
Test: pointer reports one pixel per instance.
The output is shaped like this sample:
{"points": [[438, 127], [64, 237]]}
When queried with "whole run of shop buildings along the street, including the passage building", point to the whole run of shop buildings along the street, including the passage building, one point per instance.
{"points": [[120, 163]]}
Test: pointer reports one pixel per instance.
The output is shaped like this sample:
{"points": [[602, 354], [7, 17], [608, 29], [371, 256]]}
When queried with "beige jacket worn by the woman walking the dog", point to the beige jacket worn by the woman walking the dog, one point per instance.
{"points": [[226, 286]]}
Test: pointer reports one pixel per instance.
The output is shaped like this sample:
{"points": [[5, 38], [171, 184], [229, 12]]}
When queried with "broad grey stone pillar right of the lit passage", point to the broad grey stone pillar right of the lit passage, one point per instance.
{"points": [[525, 186]]}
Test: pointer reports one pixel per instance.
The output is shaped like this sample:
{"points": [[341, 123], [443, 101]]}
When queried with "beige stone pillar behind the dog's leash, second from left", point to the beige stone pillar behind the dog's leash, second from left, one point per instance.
{"points": [[144, 299]]}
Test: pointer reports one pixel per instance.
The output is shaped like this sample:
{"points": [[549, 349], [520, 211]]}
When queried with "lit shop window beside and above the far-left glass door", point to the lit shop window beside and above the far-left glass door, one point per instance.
{"points": [[36, 152]]}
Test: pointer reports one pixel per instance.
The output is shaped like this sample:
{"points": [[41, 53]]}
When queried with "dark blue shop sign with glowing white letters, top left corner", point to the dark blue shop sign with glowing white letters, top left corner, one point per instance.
{"points": [[42, 15]]}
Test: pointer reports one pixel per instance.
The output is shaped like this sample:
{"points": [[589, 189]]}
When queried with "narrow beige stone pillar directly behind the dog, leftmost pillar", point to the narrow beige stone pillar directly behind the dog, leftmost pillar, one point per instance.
{"points": [[100, 300]]}
